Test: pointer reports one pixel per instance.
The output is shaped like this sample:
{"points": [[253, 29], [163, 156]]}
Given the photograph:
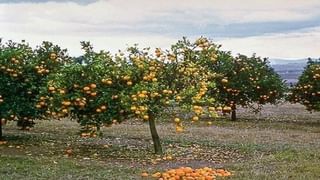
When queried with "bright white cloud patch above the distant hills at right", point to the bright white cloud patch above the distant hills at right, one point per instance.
{"points": [[293, 45]]}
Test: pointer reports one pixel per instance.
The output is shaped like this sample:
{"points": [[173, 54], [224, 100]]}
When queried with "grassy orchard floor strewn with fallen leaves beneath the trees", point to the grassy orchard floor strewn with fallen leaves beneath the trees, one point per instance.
{"points": [[281, 142]]}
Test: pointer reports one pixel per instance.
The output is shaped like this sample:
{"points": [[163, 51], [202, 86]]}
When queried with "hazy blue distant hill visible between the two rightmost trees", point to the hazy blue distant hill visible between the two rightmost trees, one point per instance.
{"points": [[289, 70]]}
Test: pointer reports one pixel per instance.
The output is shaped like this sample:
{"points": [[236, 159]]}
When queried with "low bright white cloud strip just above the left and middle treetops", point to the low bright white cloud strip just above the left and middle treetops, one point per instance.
{"points": [[108, 43]]}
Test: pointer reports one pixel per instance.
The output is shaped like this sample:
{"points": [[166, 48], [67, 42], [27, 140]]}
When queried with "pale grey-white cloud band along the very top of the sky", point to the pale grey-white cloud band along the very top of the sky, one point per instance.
{"points": [[109, 12]]}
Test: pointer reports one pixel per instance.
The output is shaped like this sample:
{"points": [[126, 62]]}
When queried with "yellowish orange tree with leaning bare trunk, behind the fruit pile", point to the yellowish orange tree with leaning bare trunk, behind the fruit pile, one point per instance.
{"points": [[169, 80]]}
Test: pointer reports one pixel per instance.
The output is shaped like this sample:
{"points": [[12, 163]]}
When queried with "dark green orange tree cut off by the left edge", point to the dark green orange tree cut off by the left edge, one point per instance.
{"points": [[13, 58]]}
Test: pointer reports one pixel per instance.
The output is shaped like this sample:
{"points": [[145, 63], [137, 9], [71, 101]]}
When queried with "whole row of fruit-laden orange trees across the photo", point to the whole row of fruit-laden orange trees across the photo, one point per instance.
{"points": [[190, 80]]}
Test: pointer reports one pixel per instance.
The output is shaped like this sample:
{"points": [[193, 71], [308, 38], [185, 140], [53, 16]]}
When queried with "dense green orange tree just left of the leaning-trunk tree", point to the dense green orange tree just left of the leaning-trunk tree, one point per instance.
{"points": [[87, 90]]}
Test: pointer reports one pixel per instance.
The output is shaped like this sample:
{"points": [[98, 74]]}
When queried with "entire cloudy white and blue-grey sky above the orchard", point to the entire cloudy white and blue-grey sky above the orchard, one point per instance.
{"points": [[286, 29]]}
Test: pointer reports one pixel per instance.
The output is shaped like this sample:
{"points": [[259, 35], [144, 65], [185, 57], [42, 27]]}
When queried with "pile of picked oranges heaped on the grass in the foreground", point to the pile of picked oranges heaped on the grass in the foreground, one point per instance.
{"points": [[187, 173]]}
